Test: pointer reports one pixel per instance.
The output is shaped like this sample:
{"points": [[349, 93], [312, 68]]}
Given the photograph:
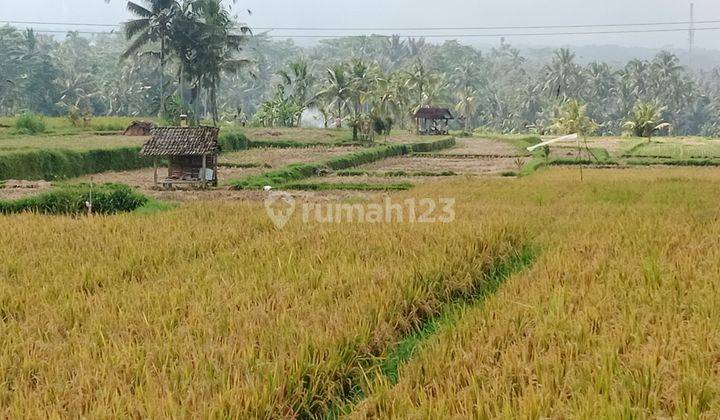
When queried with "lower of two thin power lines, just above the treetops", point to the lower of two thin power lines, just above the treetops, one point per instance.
{"points": [[495, 35]]}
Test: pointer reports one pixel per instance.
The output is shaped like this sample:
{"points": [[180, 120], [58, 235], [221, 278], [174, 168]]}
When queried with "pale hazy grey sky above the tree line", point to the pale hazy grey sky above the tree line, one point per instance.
{"points": [[424, 13]]}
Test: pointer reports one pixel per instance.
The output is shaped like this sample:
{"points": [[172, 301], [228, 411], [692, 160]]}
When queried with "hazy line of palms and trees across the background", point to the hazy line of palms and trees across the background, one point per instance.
{"points": [[193, 57]]}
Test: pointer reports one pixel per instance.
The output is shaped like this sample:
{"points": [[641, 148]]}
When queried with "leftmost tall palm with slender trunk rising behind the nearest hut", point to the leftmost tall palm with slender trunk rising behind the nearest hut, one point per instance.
{"points": [[154, 23]]}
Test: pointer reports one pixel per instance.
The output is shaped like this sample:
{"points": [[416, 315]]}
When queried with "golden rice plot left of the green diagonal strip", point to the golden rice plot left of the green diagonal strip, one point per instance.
{"points": [[200, 312]]}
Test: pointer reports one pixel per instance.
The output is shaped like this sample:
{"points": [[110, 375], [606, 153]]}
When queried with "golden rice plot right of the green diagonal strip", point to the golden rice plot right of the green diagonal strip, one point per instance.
{"points": [[615, 319]]}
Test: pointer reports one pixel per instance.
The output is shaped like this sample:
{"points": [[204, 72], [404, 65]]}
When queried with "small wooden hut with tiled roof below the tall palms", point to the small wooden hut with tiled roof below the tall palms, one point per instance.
{"points": [[192, 154]]}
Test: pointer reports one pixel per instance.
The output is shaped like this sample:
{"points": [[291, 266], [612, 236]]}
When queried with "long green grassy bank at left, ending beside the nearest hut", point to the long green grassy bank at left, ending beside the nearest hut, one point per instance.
{"points": [[62, 164]]}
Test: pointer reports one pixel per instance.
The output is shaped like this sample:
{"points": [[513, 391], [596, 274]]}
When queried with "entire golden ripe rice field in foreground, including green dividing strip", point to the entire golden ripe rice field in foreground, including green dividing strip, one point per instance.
{"points": [[544, 297]]}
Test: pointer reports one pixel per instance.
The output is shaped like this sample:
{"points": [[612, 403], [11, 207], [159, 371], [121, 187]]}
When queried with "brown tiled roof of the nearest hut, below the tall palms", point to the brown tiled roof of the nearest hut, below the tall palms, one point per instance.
{"points": [[181, 141]]}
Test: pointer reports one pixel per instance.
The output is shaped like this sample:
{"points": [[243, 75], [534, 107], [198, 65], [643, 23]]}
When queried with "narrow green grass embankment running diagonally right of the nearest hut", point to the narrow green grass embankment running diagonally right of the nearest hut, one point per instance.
{"points": [[297, 172]]}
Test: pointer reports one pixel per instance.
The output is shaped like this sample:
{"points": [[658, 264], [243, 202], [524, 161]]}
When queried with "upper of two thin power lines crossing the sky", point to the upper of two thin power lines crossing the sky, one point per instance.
{"points": [[387, 29]]}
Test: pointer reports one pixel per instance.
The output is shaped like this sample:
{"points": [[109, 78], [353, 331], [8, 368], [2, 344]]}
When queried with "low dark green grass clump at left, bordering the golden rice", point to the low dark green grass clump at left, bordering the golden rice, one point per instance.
{"points": [[70, 199]]}
